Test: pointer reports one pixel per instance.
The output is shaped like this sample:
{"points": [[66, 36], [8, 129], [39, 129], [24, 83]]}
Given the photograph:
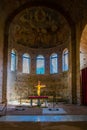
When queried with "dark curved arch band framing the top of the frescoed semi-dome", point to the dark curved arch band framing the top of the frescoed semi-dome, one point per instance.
{"points": [[47, 4]]}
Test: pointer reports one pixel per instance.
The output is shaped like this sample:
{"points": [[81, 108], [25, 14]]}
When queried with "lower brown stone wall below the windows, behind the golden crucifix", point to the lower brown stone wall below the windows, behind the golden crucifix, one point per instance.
{"points": [[24, 86]]}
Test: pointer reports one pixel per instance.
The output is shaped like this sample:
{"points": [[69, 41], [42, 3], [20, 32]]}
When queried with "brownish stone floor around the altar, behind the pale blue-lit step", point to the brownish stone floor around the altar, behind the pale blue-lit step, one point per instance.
{"points": [[69, 109]]}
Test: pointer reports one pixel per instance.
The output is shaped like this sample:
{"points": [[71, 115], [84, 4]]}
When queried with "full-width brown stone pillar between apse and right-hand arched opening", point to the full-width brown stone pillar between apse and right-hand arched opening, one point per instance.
{"points": [[74, 66]]}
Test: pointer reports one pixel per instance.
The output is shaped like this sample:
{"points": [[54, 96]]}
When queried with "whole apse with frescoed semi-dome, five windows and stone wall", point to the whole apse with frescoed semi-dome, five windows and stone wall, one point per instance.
{"points": [[41, 39]]}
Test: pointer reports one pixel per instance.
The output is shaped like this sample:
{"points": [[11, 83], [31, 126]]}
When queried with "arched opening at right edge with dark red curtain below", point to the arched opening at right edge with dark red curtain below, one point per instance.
{"points": [[83, 66]]}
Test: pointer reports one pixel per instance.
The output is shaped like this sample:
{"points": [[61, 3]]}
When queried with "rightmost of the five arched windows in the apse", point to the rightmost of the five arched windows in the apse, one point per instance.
{"points": [[65, 64]]}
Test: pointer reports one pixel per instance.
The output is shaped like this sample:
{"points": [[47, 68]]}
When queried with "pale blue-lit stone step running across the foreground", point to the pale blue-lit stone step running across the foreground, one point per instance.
{"points": [[43, 118]]}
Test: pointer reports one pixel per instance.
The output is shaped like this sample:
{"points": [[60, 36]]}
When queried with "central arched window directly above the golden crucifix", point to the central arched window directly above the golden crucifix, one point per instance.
{"points": [[40, 64]]}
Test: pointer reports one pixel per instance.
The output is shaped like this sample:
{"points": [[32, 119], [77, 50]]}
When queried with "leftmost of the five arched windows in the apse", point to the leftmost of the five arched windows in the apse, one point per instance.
{"points": [[13, 60]]}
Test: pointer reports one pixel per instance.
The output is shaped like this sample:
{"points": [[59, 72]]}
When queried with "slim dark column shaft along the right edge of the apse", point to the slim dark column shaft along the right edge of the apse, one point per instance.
{"points": [[73, 66]]}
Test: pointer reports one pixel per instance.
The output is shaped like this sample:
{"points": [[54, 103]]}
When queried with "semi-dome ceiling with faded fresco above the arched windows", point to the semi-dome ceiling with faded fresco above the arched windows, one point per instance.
{"points": [[39, 27]]}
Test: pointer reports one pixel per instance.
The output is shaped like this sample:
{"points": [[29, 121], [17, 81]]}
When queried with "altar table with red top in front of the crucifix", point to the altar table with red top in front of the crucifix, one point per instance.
{"points": [[38, 100]]}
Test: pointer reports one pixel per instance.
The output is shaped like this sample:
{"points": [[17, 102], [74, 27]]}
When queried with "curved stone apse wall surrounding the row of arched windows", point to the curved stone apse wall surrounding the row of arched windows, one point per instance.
{"points": [[22, 85]]}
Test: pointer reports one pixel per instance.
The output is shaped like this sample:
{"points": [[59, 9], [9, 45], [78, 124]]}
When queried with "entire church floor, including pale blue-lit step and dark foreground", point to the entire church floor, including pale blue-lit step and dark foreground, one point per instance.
{"points": [[33, 118]]}
